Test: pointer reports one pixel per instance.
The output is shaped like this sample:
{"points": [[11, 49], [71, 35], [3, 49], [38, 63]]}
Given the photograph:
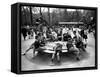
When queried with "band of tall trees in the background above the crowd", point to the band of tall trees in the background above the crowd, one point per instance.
{"points": [[51, 16]]}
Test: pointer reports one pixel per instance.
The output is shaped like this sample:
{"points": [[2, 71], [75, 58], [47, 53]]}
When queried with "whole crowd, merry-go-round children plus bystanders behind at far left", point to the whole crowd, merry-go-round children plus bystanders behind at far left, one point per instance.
{"points": [[75, 38]]}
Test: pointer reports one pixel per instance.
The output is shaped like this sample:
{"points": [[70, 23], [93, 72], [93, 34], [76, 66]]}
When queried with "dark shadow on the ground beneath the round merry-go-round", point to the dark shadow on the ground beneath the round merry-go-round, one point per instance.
{"points": [[45, 58]]}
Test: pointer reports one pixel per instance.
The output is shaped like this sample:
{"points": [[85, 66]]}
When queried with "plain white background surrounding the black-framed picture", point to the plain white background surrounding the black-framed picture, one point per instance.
{"points": [[5, 39]]}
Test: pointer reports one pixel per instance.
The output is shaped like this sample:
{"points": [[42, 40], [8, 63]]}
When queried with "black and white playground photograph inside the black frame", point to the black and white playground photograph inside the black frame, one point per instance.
{"points": [[57, 38]]}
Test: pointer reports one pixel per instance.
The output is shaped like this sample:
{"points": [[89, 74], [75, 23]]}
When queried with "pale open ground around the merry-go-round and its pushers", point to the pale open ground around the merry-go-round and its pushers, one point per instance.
{"points": [[42, 61]]}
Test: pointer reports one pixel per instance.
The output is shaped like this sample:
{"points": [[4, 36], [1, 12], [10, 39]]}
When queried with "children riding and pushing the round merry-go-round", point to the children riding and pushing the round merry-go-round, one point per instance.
{"points": [[73, 39]]}
